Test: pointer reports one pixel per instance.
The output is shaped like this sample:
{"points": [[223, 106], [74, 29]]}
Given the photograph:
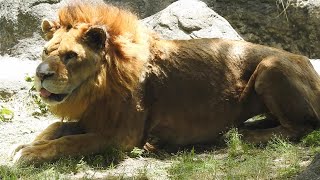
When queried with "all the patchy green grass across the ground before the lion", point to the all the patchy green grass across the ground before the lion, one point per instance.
{"points": [[279, 159]]}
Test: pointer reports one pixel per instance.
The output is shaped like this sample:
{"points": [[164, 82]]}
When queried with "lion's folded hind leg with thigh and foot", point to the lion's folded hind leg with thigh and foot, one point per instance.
{"points": [[289, 89]]}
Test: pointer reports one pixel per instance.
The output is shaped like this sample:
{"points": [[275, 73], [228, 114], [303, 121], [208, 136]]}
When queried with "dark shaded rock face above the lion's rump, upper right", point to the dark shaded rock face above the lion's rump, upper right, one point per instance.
{"points": [[293, 25]]}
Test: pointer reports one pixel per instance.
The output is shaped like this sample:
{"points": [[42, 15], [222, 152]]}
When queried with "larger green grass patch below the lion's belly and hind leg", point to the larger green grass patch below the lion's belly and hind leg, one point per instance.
{"points": [[279, 159]]}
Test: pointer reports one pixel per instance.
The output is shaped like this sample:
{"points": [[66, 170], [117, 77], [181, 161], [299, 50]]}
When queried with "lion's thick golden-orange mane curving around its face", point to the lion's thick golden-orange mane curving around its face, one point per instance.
{"points": [[126, 54]]}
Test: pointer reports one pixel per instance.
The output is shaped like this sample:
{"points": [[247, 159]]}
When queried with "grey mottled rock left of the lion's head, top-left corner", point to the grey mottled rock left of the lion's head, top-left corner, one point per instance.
{"points": [[20, 34]]}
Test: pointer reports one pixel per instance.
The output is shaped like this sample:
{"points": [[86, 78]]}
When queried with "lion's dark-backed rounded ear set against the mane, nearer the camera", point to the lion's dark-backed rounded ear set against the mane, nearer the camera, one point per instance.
{"points": [[96, 37]]}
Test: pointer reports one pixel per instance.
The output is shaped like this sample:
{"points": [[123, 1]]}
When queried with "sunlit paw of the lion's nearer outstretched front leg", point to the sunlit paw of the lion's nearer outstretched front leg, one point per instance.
{"points": [[34, 153]]}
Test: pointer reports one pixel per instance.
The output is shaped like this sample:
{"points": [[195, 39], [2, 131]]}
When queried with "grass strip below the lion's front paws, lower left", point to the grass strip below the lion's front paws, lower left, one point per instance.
{"points": [[64, 168]]}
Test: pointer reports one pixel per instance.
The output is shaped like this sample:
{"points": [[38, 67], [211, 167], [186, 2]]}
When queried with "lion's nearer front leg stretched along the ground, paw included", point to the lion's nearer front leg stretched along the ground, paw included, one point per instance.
{"points": [[71, 145]]}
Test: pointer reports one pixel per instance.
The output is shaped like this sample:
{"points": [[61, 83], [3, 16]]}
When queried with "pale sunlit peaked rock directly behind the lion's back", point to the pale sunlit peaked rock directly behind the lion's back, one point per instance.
{"points": [[182, 20]]}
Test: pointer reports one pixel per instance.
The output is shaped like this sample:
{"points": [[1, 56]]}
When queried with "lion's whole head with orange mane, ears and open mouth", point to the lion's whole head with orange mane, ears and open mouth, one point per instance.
{"points": [[92, 53]]}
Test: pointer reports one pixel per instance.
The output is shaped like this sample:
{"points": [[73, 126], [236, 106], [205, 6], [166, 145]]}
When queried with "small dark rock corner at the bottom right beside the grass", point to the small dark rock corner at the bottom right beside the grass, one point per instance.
{"points": [[312, 172]]}
